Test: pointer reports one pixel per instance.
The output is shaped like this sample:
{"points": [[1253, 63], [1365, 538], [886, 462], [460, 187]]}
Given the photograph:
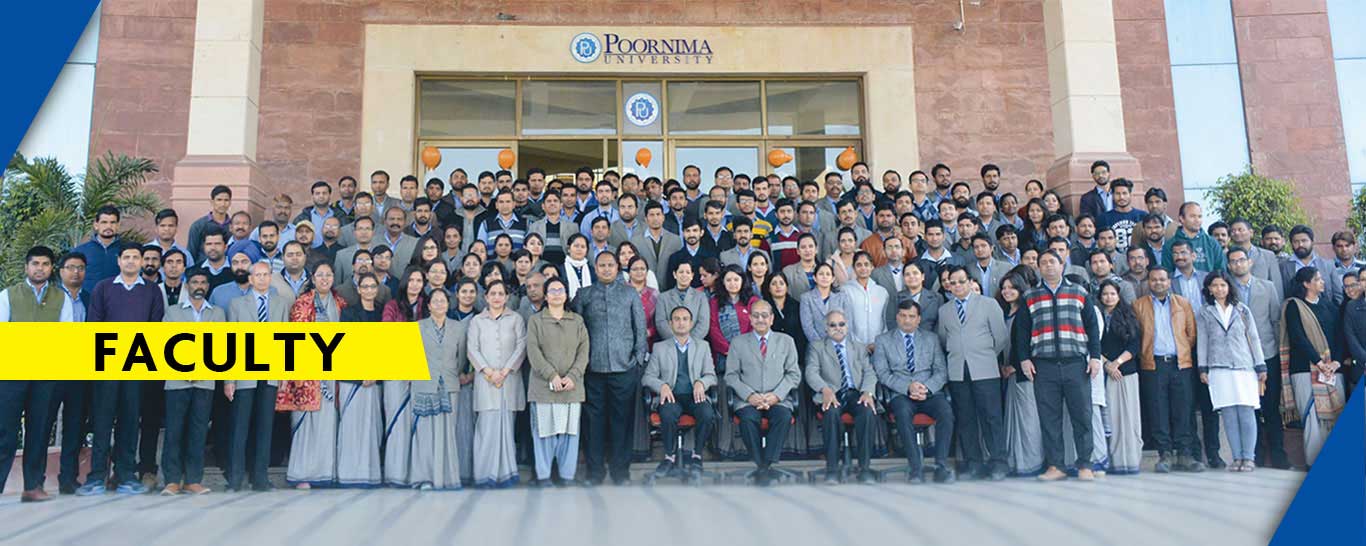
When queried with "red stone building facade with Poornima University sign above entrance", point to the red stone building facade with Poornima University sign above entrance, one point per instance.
{"points": [[268, 96]]}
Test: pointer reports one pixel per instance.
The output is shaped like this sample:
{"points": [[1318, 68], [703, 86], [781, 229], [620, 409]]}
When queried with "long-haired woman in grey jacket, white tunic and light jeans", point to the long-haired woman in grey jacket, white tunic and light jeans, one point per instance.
{"points": [[1231, 362]]}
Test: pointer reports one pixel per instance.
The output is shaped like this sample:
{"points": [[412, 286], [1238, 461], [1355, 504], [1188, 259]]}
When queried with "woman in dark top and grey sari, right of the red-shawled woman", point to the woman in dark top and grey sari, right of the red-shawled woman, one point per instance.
{"points": [[361, 414]]}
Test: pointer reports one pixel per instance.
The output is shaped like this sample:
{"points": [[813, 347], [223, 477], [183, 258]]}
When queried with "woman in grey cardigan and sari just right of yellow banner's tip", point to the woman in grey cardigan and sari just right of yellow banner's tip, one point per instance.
{"points": [[435, 462]]}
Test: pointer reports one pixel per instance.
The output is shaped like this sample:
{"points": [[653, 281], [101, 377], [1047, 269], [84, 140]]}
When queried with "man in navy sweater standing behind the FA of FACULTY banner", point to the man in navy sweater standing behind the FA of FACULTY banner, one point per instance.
{"points": [[126, 298]]}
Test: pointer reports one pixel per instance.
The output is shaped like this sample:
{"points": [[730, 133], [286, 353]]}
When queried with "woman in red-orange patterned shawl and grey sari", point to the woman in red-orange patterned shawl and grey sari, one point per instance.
{"points": [[315, 433]]}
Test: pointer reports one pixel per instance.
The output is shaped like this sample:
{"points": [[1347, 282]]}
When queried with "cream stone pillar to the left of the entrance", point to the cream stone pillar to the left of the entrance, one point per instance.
{"points": [[225, 96]]}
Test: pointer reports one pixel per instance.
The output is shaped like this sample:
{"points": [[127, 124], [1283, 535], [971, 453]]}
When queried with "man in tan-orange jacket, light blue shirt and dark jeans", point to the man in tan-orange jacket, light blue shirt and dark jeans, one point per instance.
{"points": [[1167, 367]]}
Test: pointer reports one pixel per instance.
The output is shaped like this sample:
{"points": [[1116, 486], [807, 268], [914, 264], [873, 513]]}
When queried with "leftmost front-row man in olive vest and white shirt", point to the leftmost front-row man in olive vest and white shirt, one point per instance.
{"points": [[32, 301]]}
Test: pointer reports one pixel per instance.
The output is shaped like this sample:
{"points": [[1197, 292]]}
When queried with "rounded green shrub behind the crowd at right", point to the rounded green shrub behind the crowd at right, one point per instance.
{"points": [[1262, 200]]}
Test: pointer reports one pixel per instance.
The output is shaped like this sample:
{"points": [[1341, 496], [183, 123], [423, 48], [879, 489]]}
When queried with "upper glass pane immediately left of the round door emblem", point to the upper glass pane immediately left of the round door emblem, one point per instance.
{"points": [[569, 109]]}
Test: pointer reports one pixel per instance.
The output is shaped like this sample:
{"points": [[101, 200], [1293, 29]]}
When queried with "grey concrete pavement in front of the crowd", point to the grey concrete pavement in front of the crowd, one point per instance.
{"points": [[1212, 508]]}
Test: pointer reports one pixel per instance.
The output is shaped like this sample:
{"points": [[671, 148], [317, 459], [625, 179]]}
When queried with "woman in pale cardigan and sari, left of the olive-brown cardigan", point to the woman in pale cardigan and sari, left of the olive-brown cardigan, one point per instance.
{"points": [[498, 349]]}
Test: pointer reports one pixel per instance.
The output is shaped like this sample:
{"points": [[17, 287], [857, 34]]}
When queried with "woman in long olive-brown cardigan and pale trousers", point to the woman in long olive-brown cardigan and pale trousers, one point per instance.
{"points": [[558, 351]]}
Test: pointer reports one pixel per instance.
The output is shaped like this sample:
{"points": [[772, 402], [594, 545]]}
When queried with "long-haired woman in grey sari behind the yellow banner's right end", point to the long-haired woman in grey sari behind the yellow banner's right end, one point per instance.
{"points": [[406, 306]]}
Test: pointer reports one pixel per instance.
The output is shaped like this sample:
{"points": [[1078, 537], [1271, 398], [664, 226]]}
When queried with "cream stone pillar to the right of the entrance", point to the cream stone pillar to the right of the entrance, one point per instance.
{"points": [[1084, 88]]}
